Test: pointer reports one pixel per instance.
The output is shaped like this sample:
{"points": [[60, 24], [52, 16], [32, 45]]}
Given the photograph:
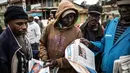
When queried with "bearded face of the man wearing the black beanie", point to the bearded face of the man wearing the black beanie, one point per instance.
{"points": [[18, 26]]}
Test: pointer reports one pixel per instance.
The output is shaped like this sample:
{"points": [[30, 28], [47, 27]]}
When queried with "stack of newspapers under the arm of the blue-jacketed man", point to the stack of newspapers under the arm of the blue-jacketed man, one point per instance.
{"points": [[122, 65]]}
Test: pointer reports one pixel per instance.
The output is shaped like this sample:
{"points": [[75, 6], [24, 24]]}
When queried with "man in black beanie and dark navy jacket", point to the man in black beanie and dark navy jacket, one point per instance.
{"points": [[15, 50]]}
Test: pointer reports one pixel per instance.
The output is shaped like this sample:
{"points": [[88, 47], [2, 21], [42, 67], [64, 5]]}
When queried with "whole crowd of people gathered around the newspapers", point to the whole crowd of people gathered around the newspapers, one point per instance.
{"points": [[25, 37]]}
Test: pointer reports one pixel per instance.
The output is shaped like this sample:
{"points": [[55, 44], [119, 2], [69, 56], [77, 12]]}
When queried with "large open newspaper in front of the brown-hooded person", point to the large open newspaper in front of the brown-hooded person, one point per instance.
{"points": [[80, 57]]}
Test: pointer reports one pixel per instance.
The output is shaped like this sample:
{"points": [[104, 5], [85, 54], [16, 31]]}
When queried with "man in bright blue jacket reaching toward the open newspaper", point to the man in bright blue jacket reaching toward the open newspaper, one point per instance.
{"points": [[116, 39]]}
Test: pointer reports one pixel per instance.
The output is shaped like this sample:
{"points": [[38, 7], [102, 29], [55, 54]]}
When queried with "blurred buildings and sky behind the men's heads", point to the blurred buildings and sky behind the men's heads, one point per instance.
{"points": [[43, 8]]}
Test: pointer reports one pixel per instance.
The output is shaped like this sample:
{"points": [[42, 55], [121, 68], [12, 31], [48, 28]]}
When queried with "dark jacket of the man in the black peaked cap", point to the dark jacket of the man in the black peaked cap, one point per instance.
{"points": [[92, 36]]}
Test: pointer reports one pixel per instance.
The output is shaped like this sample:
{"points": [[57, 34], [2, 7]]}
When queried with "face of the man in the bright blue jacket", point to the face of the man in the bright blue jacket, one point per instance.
{"points": [[124, 11]]}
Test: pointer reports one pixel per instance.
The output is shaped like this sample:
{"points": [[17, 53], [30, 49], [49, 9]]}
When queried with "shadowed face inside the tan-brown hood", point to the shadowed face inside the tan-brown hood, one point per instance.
{"points": [[68, 19]]}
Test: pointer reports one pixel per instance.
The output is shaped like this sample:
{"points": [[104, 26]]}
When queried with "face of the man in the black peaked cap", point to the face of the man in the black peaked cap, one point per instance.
{"points": [[93, 20]]}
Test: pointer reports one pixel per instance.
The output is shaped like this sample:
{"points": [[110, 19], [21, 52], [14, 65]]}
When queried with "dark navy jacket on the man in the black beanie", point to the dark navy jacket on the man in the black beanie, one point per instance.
{"points": [[12, 60]]}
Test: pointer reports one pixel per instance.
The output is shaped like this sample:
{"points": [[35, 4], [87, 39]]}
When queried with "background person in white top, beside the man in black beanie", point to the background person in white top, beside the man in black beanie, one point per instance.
{"points": [[34, 35]]}
